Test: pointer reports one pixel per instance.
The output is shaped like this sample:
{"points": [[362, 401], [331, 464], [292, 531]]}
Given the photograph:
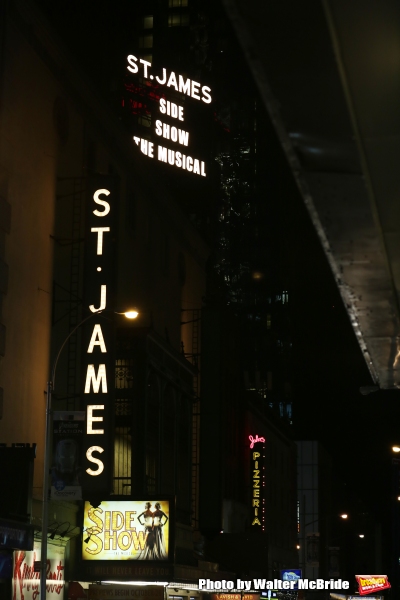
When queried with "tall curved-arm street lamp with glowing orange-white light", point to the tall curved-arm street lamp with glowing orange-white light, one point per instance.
{"points": [[132, 314]]}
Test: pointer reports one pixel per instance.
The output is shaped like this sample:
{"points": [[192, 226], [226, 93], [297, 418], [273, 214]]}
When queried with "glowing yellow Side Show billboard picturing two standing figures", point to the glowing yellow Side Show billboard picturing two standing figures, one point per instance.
{"points": [[127, 530]]}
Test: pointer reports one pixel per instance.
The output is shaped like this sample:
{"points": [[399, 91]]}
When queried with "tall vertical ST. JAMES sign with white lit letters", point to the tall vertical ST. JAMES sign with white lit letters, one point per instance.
{"points": [[98, 334]]}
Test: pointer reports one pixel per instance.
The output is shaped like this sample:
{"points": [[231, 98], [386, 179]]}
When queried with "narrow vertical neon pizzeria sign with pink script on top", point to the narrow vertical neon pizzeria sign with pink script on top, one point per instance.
{"points": [[257, 471]]}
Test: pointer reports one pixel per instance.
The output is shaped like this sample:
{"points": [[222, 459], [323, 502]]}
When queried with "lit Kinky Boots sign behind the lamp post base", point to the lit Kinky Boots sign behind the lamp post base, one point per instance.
{"points": [[26, 581]]}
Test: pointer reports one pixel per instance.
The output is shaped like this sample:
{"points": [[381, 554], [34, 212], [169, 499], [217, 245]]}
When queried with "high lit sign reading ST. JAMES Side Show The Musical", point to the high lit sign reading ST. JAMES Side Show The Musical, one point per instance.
{"points": [[175, 132]]}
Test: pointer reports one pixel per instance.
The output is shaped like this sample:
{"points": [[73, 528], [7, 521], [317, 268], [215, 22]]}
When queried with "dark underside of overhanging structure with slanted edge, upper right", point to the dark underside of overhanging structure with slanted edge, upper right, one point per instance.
{"points": [[329, 74]]}
